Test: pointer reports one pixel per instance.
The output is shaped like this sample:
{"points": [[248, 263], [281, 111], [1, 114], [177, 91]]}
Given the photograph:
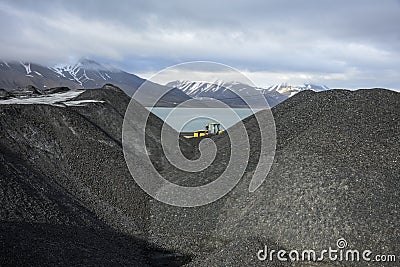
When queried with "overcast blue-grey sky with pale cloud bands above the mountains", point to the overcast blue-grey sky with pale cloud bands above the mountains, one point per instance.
{"points": [[343, 44]]}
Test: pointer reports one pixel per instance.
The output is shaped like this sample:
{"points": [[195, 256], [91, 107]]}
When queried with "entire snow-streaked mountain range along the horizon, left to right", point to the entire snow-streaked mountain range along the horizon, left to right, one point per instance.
{"points": [[88, 73]]}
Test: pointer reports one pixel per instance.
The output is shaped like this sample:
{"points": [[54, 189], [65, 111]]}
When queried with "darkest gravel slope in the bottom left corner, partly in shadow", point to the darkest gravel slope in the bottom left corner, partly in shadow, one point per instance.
{"points": [[42, 224]]}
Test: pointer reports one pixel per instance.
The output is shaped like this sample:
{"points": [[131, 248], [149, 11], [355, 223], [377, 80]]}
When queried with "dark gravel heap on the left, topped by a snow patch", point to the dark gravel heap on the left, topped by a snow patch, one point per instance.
{"points": [[66, 195]]}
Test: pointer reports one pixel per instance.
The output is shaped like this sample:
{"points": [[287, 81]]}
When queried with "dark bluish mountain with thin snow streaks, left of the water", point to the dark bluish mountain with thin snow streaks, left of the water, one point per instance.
{"points": [[84, 74]]}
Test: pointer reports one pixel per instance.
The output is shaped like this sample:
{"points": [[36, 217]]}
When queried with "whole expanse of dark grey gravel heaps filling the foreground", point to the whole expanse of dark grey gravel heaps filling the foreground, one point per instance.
{"points": [[64, 179]]}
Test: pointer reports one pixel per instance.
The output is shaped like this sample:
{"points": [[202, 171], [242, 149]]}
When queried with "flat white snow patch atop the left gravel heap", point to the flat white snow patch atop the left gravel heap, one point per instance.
{"points": [[59, 99]]}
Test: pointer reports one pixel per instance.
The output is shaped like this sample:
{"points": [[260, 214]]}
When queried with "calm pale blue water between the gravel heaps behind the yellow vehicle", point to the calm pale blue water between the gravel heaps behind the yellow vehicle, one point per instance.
{"points": [[192, 119]]}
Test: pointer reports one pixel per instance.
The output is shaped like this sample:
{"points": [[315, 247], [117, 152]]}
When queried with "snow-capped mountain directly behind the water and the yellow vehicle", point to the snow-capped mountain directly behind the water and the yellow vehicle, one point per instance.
{"points": [[225, 91]]}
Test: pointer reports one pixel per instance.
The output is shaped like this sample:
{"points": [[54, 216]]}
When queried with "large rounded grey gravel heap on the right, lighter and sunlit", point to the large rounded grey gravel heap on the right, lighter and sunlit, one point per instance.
{"points": [[335, 175]]}
